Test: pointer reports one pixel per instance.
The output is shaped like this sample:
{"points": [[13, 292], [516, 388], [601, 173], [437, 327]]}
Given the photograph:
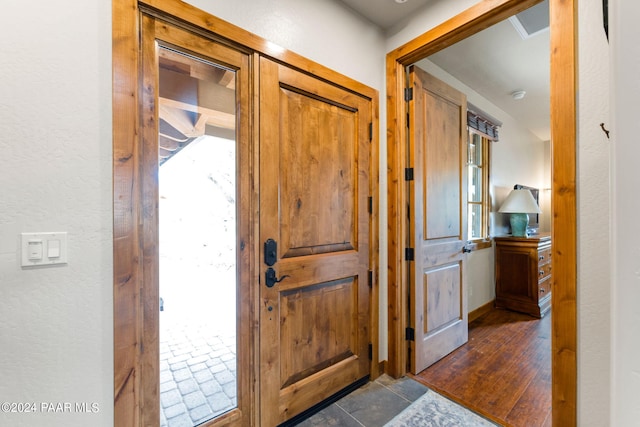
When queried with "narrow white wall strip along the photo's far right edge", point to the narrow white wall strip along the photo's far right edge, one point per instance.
{"points": [[625, 254]]}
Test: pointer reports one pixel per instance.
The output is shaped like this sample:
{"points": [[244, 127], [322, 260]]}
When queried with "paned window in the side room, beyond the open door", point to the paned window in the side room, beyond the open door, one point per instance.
{"points": [[478, 149]]}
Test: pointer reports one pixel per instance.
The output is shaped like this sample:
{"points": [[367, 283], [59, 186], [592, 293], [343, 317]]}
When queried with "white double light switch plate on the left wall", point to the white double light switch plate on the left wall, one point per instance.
{"points": [[51, 248]]}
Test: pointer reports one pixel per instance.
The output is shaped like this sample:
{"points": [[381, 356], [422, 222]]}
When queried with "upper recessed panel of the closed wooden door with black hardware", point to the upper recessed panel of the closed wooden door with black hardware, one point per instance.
{"points": [[318, 135]]}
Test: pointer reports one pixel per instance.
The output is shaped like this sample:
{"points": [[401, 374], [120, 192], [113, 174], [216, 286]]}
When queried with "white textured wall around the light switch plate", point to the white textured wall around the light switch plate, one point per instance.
{"points": [[56, 323]]}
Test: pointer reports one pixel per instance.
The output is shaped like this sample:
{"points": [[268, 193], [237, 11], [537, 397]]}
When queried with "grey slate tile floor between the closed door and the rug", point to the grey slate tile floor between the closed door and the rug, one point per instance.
{"points": [[372, 405]]}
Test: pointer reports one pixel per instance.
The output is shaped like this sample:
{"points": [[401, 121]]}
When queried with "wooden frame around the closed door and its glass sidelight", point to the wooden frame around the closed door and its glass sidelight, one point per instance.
{"points": [[133, 391]]}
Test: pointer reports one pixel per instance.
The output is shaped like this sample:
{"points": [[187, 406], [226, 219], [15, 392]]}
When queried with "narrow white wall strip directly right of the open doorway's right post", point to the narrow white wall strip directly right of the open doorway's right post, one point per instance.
{"points": [[593, 219]]}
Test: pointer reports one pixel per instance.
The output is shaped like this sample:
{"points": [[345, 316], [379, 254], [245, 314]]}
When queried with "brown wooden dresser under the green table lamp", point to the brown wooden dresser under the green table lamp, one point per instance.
{"points": [[523, 273]]}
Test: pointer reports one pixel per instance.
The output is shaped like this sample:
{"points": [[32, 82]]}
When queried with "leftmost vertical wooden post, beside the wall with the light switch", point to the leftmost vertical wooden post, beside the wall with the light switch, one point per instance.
{"points": [[126, 250]]}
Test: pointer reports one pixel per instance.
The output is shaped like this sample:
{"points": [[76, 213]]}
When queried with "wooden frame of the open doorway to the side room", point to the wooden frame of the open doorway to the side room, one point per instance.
{"points": [[563, 28]]}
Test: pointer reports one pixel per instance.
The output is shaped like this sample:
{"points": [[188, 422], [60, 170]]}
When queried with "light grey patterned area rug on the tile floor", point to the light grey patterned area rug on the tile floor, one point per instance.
{"points": [[435, 410]]}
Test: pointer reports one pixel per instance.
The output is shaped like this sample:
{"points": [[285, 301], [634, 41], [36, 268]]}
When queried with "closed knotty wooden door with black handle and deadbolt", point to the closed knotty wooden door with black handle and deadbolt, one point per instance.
{"points": [[314, 194]]}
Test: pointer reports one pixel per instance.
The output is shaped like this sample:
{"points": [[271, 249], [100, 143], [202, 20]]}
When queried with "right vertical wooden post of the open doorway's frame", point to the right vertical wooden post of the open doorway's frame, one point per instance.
{"points": [[564, 40]]}
